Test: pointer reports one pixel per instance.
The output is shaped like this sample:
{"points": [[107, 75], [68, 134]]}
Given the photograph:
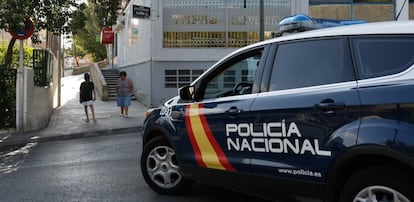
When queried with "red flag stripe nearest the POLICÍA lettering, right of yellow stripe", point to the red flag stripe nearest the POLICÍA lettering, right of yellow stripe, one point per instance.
{"points": [[219, 152]]}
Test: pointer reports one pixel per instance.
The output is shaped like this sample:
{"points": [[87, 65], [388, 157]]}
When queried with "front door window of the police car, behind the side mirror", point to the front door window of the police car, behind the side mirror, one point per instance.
{"points": [[236, 78]]}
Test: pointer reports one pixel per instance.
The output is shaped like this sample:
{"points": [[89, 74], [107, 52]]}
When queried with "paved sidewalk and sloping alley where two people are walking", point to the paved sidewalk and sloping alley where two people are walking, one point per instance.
{"points": [[67, 121]]}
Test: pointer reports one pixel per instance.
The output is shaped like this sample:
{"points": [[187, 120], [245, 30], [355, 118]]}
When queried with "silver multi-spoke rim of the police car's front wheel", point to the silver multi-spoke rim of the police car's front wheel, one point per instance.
{"points": [[162, 167]]}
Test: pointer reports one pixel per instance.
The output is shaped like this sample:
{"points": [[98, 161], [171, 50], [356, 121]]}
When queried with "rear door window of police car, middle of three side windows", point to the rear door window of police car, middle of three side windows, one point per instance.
{"points": [[310, 63]]}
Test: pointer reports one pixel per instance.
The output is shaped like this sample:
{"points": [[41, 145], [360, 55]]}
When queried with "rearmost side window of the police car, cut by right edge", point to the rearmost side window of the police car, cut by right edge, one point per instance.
{"points": [[381, 56]]}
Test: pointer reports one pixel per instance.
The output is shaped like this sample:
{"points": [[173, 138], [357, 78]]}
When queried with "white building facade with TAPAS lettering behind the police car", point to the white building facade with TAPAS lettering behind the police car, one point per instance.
{"points": [[182, 38]]}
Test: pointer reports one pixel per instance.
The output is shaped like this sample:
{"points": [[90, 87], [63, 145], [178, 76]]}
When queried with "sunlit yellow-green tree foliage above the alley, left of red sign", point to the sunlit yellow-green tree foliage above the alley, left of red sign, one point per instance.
{"points": [[98, 14]]}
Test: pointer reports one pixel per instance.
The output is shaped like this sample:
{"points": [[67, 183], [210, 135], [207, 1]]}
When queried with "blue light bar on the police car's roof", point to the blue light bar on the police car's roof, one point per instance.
{"points": [[300, 23]]}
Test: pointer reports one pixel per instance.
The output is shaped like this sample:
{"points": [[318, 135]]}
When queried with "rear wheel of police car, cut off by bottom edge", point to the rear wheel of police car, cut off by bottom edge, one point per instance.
{"points": [[380, 183]]}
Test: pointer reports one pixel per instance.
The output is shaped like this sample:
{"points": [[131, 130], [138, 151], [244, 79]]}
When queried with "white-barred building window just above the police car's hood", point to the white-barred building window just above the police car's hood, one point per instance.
{"points": [[176, 78]]}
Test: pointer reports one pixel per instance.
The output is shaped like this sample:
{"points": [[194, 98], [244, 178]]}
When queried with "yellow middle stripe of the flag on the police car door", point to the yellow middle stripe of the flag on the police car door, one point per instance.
{"points": [[208, 154]]}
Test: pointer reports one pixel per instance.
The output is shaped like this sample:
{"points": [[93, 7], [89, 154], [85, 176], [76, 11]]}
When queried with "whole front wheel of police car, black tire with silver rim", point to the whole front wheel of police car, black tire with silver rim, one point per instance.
{"points": [[160, 169]]}
